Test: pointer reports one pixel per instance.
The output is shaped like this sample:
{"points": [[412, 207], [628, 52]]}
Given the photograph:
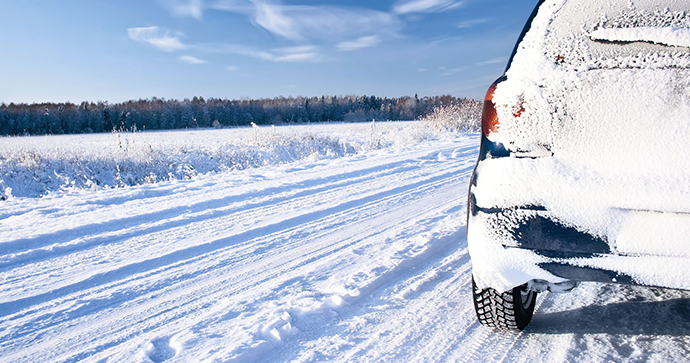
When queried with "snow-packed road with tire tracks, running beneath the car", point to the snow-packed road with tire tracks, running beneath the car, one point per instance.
{"points": [[353, 259]]}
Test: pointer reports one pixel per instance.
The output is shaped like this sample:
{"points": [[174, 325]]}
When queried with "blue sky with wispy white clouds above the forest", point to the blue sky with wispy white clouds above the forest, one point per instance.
{"points": [[117, 50]]}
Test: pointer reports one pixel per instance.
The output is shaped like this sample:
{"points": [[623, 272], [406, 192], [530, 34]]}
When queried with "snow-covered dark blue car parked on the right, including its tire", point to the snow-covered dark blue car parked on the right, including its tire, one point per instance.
{"points": [[584, 166]]}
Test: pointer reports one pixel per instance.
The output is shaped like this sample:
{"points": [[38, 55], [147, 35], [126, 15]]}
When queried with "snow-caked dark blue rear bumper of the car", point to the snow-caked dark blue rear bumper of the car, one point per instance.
{"points": [[535, 217]]}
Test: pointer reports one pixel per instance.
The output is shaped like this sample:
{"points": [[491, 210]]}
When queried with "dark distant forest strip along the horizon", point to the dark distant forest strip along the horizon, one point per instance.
{"points": [[161, 114]]}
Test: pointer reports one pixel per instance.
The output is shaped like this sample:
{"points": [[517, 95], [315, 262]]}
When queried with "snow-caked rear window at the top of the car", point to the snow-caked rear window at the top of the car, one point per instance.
{"points": [[587, 34]]}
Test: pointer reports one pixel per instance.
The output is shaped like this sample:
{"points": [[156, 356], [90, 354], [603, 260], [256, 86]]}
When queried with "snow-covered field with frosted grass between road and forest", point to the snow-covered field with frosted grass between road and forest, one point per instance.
{"points": [[36, 166]]}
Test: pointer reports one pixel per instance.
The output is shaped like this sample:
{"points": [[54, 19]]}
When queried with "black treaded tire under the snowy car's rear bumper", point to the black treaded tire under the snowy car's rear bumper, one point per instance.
{"points": [[511, 310]]}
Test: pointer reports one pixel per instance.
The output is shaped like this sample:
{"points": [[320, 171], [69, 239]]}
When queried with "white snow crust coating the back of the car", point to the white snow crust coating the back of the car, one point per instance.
{"points": [[611, 123]]}
